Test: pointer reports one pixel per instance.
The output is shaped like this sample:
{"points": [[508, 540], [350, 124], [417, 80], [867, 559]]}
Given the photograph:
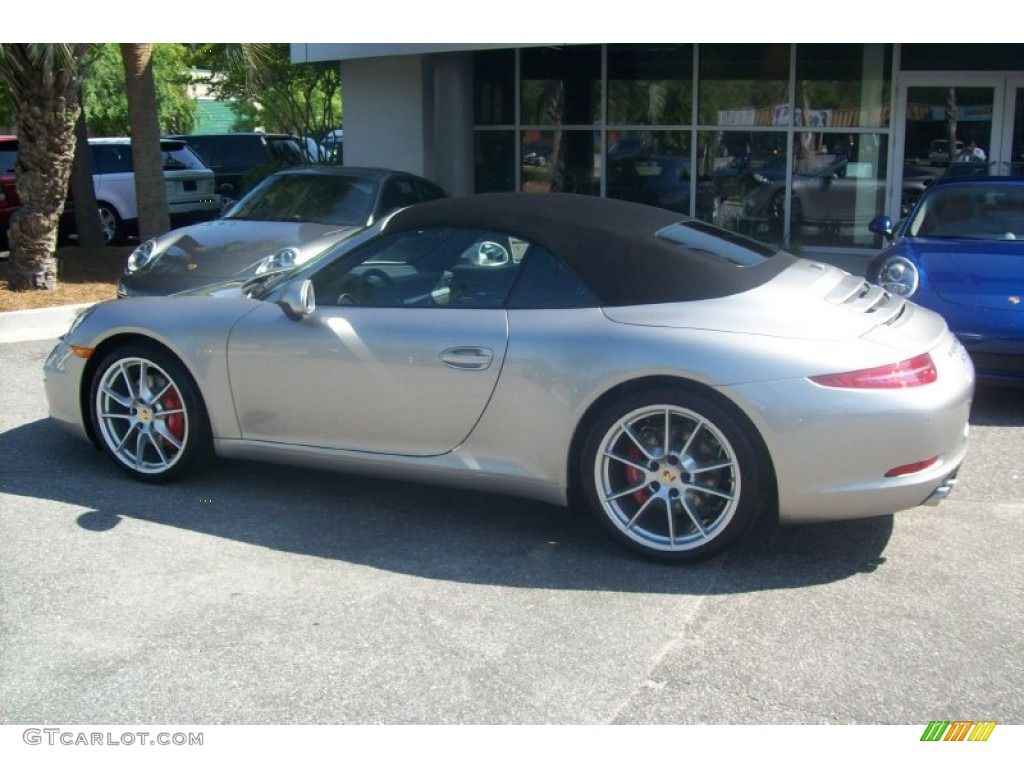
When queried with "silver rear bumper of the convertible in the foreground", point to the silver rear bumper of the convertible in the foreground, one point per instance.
{"points": [[834, 463]]}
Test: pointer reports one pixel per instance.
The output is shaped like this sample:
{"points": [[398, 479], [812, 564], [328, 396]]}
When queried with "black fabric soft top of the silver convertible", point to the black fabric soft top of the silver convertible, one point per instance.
{"points": [[612, 245]]}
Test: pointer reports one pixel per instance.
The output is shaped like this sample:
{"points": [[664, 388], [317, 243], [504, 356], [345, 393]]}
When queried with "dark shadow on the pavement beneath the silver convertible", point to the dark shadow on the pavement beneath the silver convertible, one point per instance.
{"points": [[433, 533]]}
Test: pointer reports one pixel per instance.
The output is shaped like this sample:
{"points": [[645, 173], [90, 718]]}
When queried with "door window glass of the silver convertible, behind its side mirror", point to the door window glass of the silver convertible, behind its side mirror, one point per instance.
{"points": [[446, 269]]}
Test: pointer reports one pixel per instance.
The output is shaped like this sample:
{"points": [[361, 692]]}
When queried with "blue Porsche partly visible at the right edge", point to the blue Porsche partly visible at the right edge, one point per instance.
{"points": [[961, 253]]}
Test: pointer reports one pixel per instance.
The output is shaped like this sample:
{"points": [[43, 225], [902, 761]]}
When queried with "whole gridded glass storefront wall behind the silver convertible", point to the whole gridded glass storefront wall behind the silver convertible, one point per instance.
{"points": [[798, 162]]}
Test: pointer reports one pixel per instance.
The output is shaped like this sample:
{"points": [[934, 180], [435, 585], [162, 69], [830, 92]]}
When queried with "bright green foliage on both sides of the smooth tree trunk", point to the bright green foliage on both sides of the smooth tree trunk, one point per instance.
{"points": [[106, 98]]}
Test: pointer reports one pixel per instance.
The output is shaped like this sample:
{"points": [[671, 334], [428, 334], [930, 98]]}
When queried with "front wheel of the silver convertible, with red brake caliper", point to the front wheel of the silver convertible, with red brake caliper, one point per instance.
{"points": [[148, 414]]}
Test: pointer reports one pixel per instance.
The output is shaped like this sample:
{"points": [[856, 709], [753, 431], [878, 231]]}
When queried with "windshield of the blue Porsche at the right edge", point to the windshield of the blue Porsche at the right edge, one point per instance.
{"points": [[971, 211]]}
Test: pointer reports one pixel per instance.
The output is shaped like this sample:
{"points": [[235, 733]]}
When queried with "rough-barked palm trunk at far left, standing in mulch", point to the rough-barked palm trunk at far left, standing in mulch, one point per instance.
{"points": [[45, 80]]}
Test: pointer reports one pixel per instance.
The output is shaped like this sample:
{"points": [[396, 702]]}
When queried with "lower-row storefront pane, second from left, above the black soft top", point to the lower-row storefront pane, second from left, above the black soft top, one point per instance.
{"points": [[564, 161]]}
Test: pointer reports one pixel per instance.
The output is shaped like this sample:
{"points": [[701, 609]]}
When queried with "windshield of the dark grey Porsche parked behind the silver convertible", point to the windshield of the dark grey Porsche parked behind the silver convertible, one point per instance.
{"points": [[322, 199]]}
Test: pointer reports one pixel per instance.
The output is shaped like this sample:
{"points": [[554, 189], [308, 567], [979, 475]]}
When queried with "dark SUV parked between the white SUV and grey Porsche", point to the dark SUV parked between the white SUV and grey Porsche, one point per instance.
{"points": [[243, 160]]}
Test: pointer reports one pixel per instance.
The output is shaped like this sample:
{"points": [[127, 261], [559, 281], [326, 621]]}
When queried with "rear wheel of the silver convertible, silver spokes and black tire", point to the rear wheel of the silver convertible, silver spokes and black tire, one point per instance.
{"points": [[676, 500]]}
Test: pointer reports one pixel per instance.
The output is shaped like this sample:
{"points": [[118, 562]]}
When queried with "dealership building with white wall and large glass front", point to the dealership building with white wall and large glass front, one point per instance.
{"points": [[796, 144]]}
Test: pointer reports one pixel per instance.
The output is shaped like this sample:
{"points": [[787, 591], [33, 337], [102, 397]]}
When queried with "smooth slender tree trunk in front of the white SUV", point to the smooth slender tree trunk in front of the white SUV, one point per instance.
{"points": [[147, 158]]}
